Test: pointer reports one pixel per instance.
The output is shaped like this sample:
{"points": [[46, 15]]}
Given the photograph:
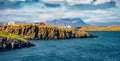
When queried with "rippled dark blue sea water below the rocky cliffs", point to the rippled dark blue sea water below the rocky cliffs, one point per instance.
{"points": [[104, 48]]}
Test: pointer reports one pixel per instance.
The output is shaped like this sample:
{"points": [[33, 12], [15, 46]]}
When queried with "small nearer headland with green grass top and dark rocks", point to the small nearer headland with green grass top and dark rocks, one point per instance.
{"points": [[12, 41]]}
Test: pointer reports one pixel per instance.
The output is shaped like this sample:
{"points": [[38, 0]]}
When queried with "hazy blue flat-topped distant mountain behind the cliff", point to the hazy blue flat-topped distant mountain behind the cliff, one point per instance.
{"points": [[77, 22]]}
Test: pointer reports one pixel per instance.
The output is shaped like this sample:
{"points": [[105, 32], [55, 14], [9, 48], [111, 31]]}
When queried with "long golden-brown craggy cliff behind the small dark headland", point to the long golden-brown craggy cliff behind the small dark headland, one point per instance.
{"points": [[31, 31]]}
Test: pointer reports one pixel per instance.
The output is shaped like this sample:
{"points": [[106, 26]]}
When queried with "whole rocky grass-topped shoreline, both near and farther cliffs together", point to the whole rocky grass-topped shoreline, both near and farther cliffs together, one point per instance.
{"points": [[13, 36]]}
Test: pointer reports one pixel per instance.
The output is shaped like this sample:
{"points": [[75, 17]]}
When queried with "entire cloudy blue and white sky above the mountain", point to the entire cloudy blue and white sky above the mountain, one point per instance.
{"points": [[92, 12]]}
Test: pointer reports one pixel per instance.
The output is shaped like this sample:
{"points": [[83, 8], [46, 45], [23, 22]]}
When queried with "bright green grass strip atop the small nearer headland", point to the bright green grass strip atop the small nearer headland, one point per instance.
{"points": [[6, 34]]}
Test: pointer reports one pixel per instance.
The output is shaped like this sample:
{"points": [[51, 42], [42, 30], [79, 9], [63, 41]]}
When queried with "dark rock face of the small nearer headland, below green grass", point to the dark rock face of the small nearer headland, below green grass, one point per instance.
{"points": [[12, 43]]}
